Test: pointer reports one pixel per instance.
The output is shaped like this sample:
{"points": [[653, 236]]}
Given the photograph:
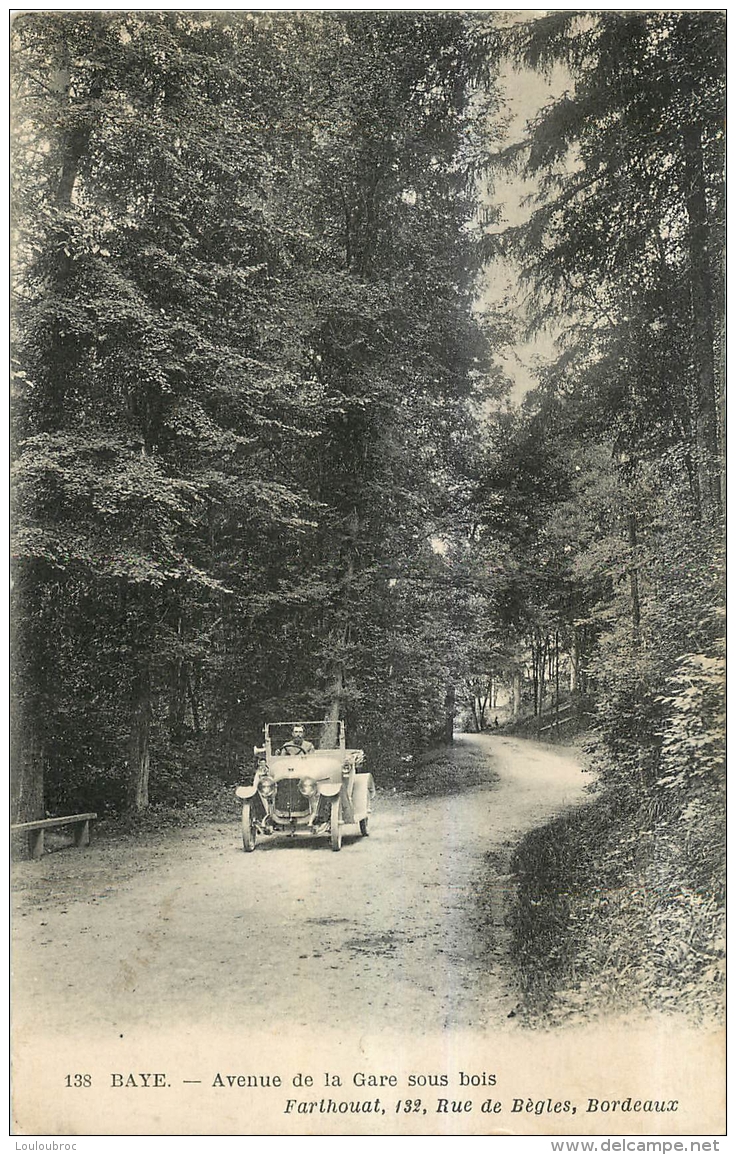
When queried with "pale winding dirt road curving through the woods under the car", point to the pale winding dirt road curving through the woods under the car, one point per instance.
{"points": [[405, 927]]}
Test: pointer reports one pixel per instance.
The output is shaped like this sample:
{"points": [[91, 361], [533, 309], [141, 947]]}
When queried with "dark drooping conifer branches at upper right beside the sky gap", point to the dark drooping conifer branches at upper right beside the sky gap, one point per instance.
{"points": [[627, 236]]}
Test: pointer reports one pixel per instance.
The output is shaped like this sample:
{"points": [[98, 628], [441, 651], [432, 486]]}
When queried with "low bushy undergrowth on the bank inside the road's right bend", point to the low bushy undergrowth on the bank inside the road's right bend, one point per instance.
{"points": [[620, 911]]}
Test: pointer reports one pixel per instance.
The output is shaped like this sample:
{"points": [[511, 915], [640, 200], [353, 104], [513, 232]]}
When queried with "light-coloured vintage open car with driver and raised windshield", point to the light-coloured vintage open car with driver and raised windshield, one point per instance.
{"points": [[307, 783]]}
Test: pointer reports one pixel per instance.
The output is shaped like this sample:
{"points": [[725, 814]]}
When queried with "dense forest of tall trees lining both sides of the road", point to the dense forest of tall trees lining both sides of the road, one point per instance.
{"points": [[266, 460]]}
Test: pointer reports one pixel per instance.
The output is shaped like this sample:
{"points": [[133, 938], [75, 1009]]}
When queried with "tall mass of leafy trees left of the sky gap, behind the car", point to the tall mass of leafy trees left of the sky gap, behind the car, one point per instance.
{"points": [[246, 353]]}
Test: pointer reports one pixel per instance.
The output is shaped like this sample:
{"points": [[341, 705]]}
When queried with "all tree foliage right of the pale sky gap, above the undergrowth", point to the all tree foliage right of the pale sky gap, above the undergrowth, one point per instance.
{"points": [[607, 483]]}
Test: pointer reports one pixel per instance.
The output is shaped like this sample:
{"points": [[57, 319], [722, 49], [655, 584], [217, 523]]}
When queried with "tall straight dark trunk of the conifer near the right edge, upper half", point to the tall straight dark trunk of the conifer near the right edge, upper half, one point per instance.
{"points": [[702, 296]]}
